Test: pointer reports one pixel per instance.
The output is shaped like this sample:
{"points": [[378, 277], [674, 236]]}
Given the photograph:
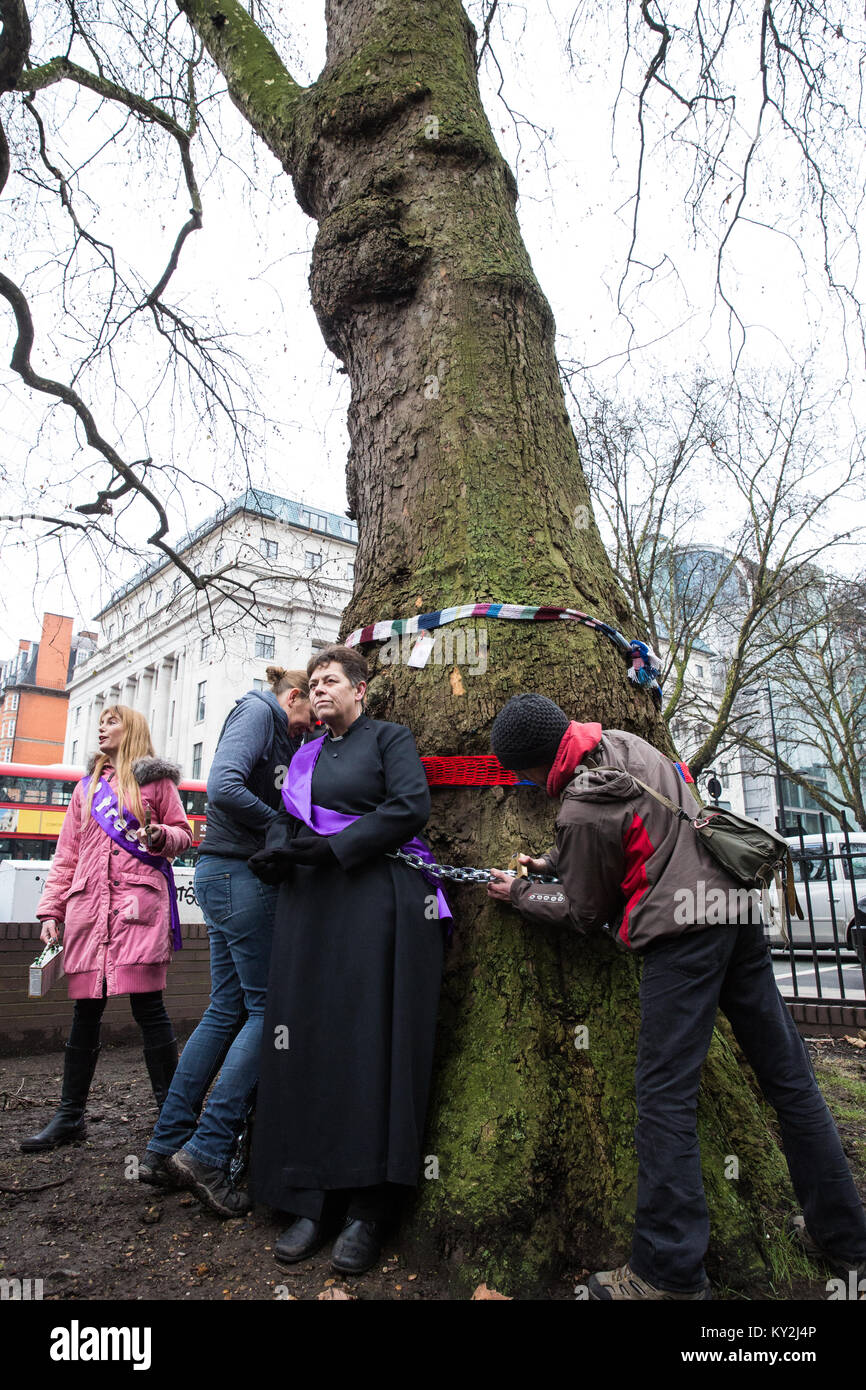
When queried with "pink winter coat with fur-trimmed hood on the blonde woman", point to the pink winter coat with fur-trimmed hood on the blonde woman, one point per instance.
{"points": [[115, 907]]}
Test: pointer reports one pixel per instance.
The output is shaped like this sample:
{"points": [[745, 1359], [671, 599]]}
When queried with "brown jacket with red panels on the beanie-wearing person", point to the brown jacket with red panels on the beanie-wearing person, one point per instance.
{"points": [[626, 862]]}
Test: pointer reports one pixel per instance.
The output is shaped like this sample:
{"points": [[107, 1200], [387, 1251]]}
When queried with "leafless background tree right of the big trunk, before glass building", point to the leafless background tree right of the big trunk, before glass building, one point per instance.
{"points": [[714, 504]]}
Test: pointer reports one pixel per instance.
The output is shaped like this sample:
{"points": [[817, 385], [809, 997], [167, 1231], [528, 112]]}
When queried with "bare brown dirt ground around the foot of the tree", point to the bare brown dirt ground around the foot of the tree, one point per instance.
{"points": [[77, 1221]]}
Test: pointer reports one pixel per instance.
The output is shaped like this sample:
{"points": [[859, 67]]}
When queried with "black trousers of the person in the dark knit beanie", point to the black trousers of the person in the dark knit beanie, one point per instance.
{"points": [[683, 985]]}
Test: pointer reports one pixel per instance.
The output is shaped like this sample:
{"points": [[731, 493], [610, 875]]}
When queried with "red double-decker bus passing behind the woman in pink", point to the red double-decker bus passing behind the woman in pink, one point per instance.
{"points": [[34, 801]]}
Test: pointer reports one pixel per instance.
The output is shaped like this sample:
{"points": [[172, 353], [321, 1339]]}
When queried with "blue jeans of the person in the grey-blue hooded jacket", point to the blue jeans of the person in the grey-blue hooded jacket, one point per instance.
{"points": [[240, 915]]}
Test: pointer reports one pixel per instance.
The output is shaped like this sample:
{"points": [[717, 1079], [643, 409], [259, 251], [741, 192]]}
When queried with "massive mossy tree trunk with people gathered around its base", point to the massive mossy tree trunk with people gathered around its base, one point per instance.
{"points": [[466, 483]]}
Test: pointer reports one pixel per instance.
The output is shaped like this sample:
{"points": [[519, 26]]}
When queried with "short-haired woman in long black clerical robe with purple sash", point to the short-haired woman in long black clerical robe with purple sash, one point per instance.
{"points": [[354, 986]]}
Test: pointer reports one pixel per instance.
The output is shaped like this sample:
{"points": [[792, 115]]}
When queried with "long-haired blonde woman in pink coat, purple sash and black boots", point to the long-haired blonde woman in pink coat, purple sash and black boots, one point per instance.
{"points": [[115, 908]]}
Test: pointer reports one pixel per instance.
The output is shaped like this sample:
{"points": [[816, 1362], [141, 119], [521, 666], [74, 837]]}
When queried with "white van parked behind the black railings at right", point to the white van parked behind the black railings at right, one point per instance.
{"points": [[824, 879]]}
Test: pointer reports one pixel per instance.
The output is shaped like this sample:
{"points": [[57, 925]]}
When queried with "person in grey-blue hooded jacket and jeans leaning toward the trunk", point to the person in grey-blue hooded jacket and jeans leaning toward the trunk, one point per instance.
{"points": [[256, 746]]}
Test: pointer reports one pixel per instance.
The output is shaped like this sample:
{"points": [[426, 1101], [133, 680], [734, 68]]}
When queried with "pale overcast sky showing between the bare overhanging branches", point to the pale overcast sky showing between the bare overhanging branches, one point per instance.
{"points": [[250, 266]]}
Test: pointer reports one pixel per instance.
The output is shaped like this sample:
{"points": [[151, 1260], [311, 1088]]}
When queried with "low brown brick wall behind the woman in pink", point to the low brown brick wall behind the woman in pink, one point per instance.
{"points": [[37, 1025]]}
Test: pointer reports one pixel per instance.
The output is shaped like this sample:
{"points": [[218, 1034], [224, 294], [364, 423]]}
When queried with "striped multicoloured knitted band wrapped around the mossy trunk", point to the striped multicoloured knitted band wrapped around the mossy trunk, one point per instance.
{"points": [[644, 667]]}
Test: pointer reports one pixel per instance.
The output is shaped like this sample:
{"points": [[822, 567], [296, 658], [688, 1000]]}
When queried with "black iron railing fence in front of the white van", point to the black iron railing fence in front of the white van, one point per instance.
{"points": [[826, 954]]}
